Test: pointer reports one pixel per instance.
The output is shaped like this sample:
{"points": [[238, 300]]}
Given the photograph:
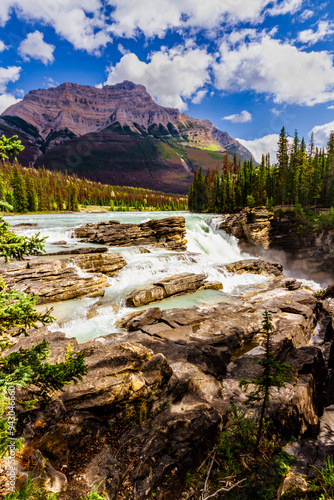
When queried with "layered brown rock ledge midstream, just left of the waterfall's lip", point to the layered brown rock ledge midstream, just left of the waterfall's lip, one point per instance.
{"points": [[168, 233]]}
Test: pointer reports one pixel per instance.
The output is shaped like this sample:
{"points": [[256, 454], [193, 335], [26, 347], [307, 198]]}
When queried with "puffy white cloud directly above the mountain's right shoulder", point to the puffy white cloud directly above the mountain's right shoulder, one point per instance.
{"points": [[170, 76]]}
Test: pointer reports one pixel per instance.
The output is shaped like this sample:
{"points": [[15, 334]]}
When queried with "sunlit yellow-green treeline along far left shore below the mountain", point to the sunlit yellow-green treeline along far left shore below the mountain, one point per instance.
{"points": [[38, 190]]}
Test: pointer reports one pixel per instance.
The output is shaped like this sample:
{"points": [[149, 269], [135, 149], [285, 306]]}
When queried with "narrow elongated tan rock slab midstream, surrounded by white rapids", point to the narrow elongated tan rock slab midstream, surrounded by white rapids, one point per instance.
{"points": [[180, 284]]}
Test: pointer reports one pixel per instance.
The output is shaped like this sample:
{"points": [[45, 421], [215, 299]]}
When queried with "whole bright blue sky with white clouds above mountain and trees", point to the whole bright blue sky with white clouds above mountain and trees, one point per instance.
{"points": [[249, 66]]}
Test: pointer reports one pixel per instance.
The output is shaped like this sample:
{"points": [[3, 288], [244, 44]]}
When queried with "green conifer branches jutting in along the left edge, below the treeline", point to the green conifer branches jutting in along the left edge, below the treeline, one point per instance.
{"points": [[27, 368]]}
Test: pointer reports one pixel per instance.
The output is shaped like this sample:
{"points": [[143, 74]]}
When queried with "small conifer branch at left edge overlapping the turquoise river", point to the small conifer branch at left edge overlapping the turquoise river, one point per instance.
{"points": [[14, 246]]}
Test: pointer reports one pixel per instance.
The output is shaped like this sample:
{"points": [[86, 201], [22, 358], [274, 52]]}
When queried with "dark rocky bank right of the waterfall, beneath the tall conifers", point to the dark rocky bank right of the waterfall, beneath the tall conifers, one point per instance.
{"points": [[307, 253]]}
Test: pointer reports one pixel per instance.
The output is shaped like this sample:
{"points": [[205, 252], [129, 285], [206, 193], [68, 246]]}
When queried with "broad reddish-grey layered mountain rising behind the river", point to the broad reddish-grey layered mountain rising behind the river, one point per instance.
{"points": [[116, 135]]}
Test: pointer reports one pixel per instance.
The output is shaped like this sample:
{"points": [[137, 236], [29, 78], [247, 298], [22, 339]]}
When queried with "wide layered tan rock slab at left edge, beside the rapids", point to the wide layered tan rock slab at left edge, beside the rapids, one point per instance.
{"points": [[62, 279]]}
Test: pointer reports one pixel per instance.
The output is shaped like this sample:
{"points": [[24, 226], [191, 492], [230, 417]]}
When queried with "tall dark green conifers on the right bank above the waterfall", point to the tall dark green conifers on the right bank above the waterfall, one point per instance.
{"points": [[302, 176]]}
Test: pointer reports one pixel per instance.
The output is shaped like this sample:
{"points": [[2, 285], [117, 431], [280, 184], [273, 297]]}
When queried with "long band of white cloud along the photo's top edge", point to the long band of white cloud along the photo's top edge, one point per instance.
{"points": [[89, 24]]}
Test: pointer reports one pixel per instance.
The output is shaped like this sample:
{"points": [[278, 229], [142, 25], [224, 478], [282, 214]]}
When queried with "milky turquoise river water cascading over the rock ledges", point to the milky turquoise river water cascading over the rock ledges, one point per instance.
{"points": [[208, 249]]}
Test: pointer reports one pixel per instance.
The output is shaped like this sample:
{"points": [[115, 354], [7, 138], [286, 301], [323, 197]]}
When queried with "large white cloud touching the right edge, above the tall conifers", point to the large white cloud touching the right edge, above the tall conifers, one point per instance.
{"points": [[273, 67]]}
